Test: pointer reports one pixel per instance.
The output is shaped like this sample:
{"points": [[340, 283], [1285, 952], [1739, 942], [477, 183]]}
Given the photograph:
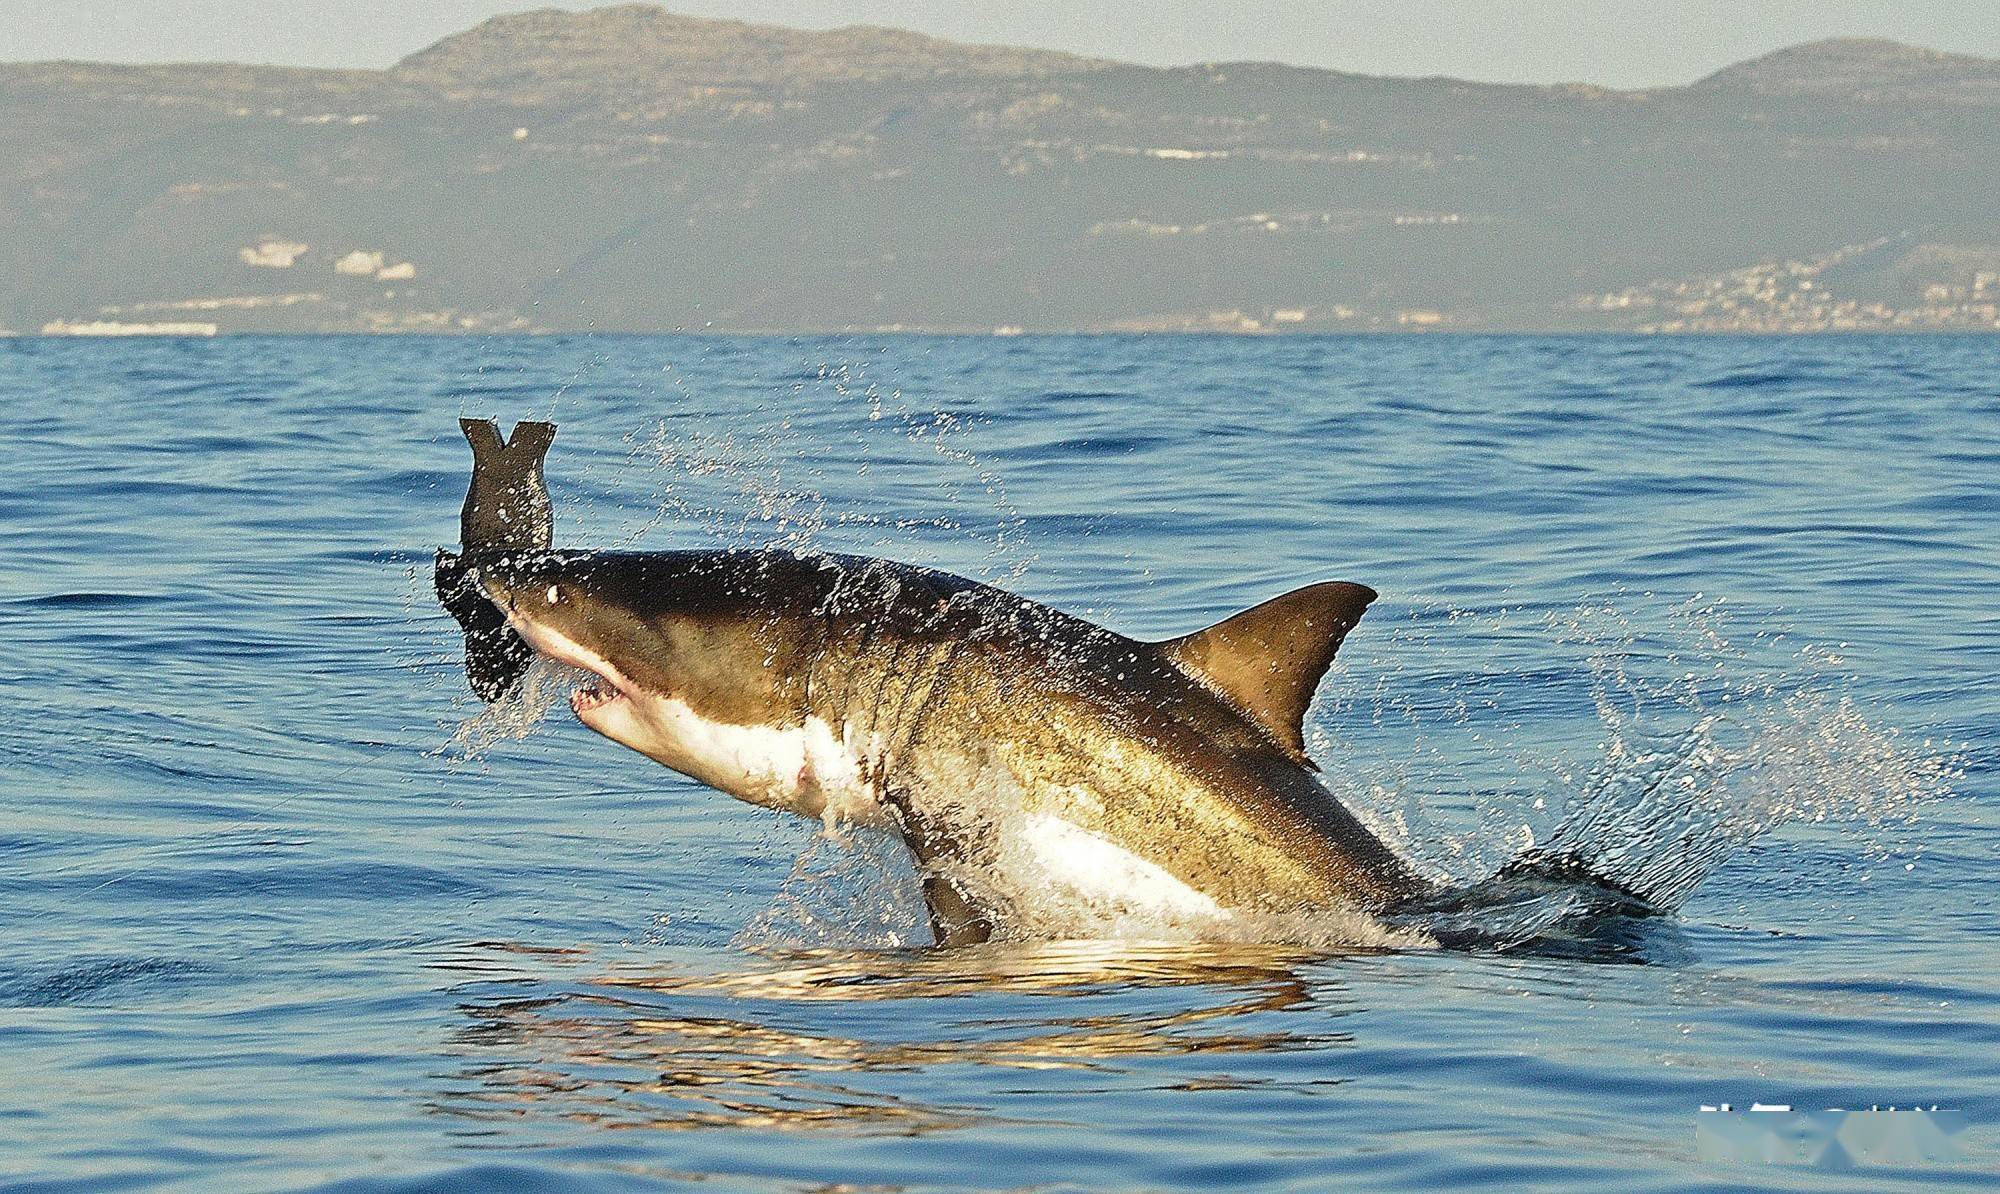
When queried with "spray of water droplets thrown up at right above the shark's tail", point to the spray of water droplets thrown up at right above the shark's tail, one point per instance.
{"points": [[1705, 743]]}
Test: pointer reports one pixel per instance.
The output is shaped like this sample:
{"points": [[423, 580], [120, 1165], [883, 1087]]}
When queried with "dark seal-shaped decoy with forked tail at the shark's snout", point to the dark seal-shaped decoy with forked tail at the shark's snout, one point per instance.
{"points": [[507, 511]]}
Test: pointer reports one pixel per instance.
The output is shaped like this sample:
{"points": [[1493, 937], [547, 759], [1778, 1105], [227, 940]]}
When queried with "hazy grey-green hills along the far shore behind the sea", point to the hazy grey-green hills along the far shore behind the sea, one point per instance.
{"points": [[643, 171]]}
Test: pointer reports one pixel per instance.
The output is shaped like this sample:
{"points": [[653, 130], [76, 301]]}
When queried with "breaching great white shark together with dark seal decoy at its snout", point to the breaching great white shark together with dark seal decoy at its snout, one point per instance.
{"points": [[1013, 747]]}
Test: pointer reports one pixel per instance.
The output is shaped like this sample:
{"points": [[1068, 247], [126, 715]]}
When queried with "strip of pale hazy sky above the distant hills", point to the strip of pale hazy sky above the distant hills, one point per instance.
{"points": [[1617, 43]]}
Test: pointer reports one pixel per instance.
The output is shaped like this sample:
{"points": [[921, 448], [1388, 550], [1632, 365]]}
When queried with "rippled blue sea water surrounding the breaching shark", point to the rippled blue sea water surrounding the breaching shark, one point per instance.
{"points": [[283, 907]]}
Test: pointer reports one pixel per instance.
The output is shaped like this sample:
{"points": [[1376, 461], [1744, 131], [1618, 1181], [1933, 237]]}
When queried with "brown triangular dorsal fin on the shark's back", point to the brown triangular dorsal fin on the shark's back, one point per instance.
{"points": [[1269, 659]]}
